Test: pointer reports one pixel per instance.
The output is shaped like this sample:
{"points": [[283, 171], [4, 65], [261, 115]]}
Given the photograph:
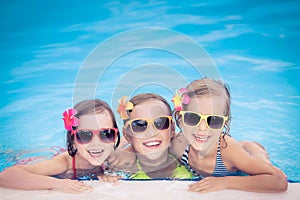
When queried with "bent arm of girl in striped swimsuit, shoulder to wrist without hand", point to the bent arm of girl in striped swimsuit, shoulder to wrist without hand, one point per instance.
{"points": [[263, 176]]}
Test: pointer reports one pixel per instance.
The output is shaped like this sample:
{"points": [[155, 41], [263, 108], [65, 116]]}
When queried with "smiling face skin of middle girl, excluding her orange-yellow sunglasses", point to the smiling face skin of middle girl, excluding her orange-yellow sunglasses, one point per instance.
{"points": [[154, 142]]}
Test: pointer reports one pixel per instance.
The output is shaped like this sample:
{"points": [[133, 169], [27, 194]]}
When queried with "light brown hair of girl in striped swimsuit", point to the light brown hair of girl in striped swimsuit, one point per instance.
{"points": [[206, 87]]}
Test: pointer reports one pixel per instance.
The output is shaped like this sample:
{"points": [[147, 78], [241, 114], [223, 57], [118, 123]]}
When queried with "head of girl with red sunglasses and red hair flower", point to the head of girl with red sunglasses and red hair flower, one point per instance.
{"points": [[92, 131]]}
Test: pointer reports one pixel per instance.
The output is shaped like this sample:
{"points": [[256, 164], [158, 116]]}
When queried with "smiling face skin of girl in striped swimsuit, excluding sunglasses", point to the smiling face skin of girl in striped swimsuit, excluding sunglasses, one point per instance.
{"points": [[201, 137]]}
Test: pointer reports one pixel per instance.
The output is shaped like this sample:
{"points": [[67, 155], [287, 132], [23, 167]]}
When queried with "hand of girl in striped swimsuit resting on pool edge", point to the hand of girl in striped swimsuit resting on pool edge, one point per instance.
{"points": [[209, 184]]}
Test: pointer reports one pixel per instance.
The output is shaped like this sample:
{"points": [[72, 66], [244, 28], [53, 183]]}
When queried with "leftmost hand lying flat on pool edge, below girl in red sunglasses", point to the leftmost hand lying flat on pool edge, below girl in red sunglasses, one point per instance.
{"points": [[71, 186]]}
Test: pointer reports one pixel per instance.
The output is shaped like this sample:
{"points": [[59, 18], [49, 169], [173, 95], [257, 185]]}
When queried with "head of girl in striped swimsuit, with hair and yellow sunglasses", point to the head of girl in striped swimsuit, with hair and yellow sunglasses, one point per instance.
{"points": [[205, 115]]}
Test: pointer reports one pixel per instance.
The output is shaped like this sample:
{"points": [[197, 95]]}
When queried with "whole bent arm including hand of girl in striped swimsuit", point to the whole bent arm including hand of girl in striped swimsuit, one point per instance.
{"points": [[263, 177]]}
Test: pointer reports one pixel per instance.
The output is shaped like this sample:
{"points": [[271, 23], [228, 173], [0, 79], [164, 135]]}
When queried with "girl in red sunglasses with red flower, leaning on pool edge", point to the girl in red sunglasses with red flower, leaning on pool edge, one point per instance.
{"points": [[92, 135]]}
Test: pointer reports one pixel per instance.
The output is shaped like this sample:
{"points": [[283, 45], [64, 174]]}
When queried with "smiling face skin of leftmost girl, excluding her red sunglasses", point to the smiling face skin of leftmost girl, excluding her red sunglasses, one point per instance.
{"points": [[96, 151]]}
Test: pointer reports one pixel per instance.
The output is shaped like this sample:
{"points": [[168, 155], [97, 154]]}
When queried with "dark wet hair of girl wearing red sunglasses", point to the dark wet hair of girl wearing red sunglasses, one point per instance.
{"points": [[93, 106]]}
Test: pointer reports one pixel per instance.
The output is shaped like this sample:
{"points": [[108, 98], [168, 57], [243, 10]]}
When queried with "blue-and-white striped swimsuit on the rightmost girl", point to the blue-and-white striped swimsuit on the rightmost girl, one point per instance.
{"points": [[220, 168]]}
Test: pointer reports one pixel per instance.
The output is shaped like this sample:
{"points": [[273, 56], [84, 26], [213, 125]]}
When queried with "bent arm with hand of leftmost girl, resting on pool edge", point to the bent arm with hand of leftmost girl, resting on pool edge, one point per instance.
{"points": [[36, 176]]}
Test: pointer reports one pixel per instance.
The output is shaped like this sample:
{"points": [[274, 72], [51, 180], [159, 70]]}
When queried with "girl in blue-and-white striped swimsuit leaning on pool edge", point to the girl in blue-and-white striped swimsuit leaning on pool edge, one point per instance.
{"points": [[202, 111]]}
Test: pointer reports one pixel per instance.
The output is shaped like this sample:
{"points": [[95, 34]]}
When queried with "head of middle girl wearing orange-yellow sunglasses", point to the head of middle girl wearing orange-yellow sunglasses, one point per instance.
{"points": [[149, 128]]}
